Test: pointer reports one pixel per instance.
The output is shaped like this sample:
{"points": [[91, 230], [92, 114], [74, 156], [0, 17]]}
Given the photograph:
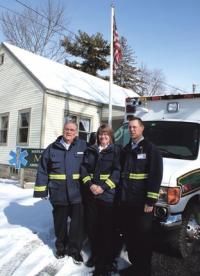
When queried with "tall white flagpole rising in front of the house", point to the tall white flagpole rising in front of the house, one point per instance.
{"points": [[111, 69]]}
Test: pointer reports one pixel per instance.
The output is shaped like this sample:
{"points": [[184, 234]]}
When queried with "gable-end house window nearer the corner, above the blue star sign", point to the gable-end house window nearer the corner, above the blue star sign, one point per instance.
{"points": [[24, 125]]}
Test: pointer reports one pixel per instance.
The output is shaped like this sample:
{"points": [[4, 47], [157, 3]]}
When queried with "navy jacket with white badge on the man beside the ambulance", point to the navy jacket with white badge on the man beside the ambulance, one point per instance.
{"points": [[142, 170]]}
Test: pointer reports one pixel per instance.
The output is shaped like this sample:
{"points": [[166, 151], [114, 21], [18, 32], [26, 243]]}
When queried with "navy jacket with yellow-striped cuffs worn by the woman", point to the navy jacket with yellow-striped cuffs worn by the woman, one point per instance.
{"points": [[103, 169]]}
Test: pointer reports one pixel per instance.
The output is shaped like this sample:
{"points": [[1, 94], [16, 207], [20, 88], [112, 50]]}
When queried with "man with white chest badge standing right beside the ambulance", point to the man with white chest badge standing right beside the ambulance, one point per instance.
{"points": [[142, 170]]}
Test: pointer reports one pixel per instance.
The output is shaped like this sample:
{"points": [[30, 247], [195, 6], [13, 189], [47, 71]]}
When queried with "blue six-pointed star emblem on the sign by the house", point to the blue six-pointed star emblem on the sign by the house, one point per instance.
{"points": [[18, 158]]}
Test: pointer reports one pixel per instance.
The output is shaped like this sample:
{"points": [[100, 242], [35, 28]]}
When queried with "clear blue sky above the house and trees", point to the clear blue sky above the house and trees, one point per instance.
{"points": [[165, 34]]}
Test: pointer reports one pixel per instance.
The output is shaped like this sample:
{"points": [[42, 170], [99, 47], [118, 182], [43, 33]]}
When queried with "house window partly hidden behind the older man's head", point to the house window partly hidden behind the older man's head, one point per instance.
{"points": [[83, 124]]}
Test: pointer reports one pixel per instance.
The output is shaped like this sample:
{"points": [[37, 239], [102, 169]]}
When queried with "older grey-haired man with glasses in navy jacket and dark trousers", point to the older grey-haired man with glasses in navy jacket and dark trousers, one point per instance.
{"points": [[58, 176]]}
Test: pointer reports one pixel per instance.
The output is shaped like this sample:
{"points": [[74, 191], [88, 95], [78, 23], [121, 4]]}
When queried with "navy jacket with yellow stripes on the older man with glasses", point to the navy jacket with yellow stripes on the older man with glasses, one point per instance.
{"points": [[58, 173]]}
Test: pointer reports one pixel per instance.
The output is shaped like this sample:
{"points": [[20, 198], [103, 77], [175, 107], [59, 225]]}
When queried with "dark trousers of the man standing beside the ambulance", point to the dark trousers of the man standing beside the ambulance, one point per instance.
{"points": [[137, 231]]}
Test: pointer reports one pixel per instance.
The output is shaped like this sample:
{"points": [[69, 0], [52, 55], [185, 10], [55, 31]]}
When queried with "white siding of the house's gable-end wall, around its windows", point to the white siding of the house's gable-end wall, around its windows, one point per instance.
{"points": [[18, 91]]}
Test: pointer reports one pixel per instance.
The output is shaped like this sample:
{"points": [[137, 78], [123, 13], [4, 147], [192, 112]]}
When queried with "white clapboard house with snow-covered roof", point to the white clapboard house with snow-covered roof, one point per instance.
{"points": [[37, 95]]}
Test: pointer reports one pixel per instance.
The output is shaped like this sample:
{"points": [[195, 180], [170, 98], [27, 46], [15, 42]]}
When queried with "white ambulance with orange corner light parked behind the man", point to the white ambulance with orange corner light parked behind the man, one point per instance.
{"points": [[172, 123]]}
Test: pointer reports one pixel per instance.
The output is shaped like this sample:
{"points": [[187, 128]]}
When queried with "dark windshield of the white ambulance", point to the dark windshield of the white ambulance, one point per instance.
{"points": [[178, 140]]}
